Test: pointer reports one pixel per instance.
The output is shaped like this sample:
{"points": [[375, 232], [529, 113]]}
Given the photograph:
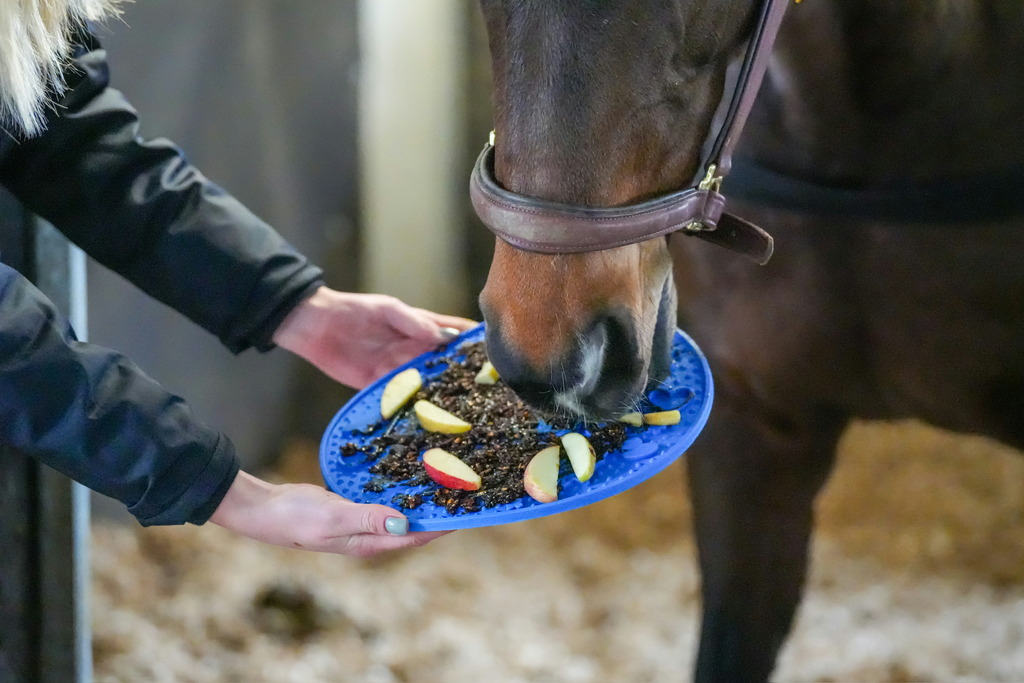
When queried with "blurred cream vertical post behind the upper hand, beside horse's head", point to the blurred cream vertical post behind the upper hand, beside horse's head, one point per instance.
{"points": [[411, 142]]}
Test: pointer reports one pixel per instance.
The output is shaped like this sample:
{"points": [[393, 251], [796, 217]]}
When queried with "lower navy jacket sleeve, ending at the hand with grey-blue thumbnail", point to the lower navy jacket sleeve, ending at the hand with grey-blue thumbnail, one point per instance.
{"points": [[92, 414]]}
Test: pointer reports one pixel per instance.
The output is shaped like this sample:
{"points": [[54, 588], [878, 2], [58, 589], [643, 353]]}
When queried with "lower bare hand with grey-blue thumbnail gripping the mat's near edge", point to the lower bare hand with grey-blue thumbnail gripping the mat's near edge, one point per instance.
{"points": [[309, 518]]}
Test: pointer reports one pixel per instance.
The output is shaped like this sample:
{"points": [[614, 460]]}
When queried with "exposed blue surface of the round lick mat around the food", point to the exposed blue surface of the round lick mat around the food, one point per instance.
{"points": [[647, 451]]}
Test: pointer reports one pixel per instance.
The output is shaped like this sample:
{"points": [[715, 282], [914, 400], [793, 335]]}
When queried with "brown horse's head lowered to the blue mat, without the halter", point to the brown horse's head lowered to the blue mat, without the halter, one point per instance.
{"points": [[598, 105]]}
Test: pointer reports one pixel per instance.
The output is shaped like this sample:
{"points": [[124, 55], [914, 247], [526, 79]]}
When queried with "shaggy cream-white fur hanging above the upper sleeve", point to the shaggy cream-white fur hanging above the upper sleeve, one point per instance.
{"points": [[34, 49]]}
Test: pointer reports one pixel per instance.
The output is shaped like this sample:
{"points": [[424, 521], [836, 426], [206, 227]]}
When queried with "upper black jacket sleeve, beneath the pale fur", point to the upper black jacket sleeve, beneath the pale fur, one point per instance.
{"points": [[140, 208]]}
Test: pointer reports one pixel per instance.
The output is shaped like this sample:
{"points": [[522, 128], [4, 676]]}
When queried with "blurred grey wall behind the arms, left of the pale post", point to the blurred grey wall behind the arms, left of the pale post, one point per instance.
{"points": [[262, 97]]}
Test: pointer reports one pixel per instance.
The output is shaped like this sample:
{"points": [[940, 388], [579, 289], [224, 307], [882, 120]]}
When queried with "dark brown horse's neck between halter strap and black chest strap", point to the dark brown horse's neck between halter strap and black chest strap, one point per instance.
{"points": [[887, 90]]}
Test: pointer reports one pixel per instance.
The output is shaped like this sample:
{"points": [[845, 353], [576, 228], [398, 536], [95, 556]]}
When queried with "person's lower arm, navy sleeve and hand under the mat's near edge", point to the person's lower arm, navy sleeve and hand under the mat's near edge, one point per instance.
{"points": [[92, 414]]}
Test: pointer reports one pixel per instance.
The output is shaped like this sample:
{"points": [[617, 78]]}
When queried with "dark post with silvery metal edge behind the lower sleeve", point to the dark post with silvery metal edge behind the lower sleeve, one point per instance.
{"points": [[45, 518]]}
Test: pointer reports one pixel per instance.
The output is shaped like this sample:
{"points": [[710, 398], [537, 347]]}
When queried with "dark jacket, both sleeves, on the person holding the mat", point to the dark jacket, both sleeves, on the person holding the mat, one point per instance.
{"points": [[143, 210]]}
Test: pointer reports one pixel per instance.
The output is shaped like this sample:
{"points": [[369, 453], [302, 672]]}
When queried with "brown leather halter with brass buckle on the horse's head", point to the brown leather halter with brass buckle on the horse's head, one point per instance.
{"points": [[551, 228]]}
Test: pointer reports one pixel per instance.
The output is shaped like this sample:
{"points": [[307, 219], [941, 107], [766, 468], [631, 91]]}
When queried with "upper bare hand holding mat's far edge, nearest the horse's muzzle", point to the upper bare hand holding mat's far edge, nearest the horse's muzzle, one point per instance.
{"points": [[356, 338]]}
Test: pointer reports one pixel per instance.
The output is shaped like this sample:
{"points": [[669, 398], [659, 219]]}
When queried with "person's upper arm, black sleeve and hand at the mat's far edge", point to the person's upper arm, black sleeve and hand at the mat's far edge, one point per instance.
{"points": [[143, 210]]}
